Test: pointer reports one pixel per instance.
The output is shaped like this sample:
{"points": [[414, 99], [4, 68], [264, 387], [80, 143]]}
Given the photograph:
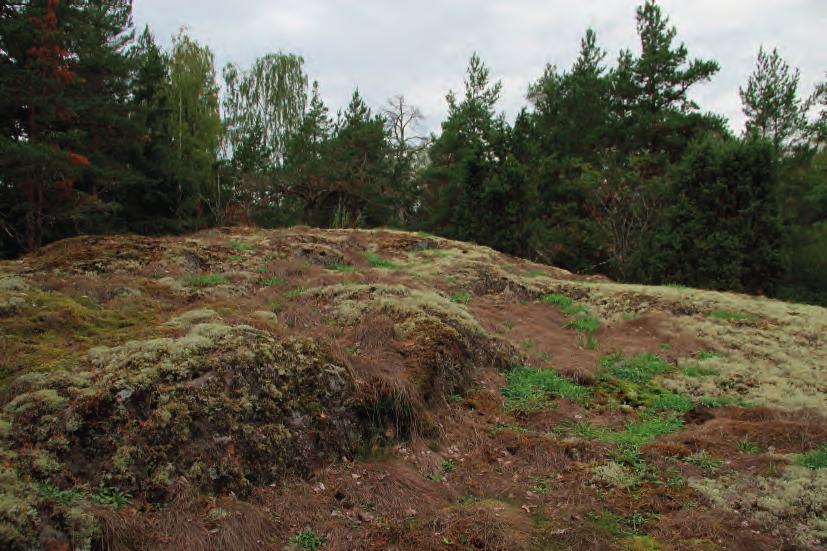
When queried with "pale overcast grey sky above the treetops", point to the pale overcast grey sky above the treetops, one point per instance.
{"points": [[421, 48]]}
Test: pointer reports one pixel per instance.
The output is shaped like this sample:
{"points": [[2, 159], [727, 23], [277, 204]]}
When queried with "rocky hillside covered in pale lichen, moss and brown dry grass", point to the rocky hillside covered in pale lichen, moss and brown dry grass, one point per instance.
{"points": [[309, 389]]}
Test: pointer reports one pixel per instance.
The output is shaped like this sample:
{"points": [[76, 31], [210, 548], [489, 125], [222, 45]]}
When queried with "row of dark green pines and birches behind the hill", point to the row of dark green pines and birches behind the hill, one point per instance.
{"points": [[609, 167]]}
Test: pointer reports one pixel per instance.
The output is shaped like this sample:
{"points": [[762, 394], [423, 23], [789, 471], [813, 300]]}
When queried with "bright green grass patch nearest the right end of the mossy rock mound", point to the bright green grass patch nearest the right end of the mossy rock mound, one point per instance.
{"points": [[529, 389]]}
